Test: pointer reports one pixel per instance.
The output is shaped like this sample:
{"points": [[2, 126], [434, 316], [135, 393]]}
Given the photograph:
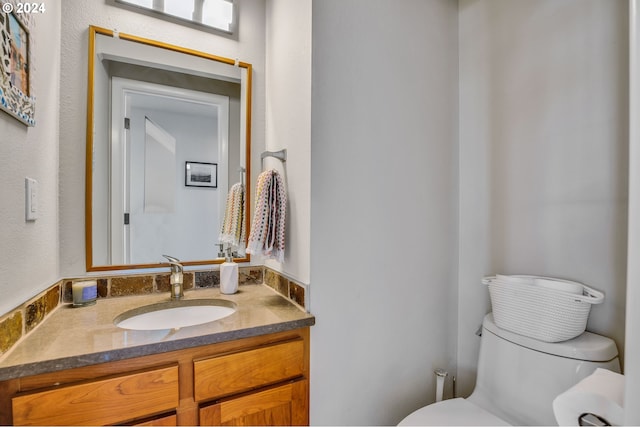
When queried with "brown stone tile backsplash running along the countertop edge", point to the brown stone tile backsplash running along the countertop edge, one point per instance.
{"points": [[17, 323]]}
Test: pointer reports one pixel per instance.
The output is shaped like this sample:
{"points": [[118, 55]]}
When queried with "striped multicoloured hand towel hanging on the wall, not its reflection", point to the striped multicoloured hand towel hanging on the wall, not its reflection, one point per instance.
{"points": [[267, 229]]}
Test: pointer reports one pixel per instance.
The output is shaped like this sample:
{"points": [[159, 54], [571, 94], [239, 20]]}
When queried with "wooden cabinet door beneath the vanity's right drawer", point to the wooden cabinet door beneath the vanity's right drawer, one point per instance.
{"points": [[283, 405]]}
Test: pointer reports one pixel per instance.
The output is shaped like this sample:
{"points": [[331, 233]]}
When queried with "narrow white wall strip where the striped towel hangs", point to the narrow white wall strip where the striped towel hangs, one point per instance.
{"points": [[288, 122]]}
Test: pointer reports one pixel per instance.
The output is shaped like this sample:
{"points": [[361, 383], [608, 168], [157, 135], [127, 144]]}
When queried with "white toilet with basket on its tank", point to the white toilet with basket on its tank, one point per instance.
{"points": [[518, 378]]}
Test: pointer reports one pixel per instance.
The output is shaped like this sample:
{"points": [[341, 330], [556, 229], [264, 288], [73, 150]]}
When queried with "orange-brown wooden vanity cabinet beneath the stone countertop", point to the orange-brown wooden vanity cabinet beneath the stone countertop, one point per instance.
{"points": [[253, 381]]}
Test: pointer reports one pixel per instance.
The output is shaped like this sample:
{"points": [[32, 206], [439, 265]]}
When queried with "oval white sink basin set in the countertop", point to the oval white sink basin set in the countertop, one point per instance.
{"points": [[175, 314]]}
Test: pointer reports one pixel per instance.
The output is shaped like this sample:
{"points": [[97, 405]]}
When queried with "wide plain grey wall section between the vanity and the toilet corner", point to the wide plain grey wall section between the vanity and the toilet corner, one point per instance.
{"points": [[383, 206]]}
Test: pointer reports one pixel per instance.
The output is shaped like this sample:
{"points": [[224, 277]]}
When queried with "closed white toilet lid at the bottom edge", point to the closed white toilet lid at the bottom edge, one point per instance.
{"points": [[453, 412]]}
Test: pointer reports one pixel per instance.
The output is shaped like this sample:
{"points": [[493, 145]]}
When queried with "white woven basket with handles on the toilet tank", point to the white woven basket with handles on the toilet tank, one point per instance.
{"points": [[543, 313]]}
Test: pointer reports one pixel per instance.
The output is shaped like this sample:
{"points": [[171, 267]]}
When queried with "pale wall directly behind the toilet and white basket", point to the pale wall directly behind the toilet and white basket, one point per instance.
{"points": [[543, 153]]}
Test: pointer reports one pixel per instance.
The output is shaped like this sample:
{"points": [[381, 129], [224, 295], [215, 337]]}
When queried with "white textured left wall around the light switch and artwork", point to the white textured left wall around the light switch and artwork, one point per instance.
{"points": [[32, 152]]}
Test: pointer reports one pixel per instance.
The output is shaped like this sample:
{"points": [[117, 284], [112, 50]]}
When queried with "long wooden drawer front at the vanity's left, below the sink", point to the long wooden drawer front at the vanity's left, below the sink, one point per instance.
{"points": [[100, 402]]}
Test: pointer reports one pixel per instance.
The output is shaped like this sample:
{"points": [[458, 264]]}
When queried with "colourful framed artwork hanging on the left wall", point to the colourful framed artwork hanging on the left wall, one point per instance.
{"points": [[15, 88]]}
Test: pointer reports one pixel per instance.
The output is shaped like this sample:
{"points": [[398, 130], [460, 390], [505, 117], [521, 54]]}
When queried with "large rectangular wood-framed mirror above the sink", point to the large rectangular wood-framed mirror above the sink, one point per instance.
{"points": [[167, 136]]}
